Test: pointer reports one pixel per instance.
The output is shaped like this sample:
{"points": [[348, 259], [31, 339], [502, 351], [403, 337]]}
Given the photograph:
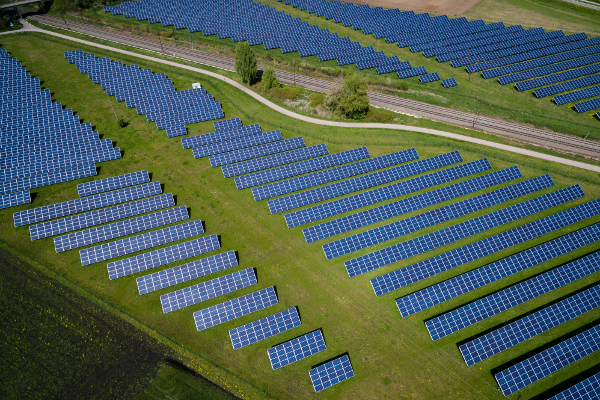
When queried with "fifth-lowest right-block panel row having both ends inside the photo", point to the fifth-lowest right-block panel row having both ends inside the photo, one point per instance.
{"points": [[352, 185]]}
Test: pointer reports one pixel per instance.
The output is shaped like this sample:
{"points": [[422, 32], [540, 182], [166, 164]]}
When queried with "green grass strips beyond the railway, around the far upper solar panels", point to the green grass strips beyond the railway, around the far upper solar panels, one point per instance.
{"points": [[473, 93]]}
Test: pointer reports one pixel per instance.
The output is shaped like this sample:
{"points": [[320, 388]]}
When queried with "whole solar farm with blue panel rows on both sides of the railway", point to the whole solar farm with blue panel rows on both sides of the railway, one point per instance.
{"points": [[283, 259]]}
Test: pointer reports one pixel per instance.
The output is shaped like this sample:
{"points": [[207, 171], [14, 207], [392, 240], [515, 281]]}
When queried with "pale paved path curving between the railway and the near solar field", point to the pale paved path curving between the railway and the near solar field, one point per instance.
{"points": [[307, 119]]}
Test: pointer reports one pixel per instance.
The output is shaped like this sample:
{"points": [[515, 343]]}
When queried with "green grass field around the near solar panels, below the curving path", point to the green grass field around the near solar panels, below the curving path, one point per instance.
{"points": [[392, 357]]}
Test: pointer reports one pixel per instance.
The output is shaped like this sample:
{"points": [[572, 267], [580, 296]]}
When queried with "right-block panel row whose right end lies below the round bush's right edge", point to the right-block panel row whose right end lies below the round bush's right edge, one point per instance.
{"points": [[288, 171]]}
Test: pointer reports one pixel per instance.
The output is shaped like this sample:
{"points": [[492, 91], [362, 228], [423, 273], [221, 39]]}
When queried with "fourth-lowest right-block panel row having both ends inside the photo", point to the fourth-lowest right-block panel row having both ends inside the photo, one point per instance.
{"points": [[374, 196]]}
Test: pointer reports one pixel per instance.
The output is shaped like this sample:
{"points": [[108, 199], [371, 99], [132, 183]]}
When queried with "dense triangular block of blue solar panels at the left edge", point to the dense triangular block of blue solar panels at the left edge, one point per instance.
{"points": [[41, 143]]}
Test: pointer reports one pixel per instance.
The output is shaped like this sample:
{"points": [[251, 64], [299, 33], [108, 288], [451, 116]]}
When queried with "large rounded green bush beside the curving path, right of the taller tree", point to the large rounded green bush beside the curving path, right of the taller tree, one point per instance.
{"points": [[350, 100]]}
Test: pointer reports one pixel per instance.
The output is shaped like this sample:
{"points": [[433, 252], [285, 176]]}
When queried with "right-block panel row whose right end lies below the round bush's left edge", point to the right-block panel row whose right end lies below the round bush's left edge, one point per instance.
{"points": [[274, 160]]}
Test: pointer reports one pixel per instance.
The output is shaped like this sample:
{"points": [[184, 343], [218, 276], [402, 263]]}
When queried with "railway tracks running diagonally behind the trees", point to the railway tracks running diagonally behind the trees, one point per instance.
{"points": [[521, 133]]}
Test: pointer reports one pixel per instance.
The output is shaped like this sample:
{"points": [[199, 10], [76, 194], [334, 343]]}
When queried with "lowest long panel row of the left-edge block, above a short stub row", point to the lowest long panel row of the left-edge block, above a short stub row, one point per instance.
{"points": [[50, 178]]}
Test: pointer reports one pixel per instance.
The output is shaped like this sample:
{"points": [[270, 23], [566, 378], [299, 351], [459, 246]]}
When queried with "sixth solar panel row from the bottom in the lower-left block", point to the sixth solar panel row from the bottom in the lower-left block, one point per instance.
{"points": [[186, 272]]}
